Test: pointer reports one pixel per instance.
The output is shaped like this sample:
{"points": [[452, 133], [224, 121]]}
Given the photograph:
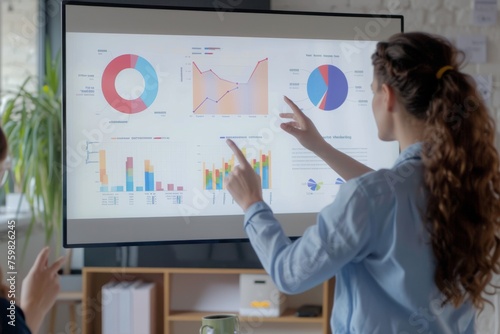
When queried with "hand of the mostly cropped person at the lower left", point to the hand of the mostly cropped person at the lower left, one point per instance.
{"points": [[39, 289]]}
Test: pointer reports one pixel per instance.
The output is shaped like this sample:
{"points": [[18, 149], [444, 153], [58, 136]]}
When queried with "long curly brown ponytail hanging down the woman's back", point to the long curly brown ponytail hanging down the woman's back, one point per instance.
{"points": [[462, 177]]}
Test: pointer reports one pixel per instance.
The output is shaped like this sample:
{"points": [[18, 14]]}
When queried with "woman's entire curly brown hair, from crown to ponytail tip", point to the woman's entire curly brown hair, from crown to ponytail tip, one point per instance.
{"points": [[461, 162]]}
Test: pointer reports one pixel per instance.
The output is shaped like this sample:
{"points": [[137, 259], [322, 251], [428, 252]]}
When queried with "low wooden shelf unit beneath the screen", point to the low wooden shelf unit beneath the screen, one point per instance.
{"points": [[95, 277]]}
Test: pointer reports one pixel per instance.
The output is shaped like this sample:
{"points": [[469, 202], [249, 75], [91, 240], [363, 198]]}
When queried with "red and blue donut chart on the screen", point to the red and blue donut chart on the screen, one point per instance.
{"points": [[147, 71]]}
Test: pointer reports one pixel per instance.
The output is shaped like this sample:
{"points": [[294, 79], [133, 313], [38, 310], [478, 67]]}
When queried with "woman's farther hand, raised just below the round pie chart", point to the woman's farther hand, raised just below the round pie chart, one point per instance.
{"points": [[302, 128]]}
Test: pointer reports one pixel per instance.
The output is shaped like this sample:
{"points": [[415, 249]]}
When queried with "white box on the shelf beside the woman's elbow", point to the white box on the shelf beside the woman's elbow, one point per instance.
{"points": [[259, 296]]}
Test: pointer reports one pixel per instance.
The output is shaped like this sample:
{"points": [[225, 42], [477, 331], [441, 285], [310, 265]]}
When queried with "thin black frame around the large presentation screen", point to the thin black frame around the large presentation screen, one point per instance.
{"points": [[235, 218]]}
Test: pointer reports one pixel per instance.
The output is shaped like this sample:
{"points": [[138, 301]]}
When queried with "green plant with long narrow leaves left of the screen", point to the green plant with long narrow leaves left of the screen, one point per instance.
{"points": [[32, 122]]}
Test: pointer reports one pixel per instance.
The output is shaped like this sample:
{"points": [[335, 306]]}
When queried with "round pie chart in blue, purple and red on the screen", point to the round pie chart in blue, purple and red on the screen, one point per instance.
{"points": [[327, 87]]}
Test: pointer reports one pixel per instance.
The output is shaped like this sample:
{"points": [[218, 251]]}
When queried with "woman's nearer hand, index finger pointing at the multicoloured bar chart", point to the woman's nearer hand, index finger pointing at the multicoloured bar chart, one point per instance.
{"points": [[243, 183]]}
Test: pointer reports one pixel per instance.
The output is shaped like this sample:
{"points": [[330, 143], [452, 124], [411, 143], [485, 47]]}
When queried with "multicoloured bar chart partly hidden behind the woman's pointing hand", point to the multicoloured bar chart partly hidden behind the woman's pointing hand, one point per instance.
{"points": [[213, 178]]}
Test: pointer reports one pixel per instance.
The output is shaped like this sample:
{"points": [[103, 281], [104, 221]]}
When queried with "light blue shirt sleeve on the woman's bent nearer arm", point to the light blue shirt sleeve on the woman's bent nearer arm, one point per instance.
{"points": [[341, 235]]}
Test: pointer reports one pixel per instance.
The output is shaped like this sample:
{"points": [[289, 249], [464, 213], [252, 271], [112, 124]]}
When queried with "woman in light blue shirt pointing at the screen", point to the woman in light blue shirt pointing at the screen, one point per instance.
{"points": [[413, 248]]}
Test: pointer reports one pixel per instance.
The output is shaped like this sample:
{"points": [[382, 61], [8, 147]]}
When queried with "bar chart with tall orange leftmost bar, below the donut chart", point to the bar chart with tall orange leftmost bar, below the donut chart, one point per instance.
{"points": [[150, 184]]}
